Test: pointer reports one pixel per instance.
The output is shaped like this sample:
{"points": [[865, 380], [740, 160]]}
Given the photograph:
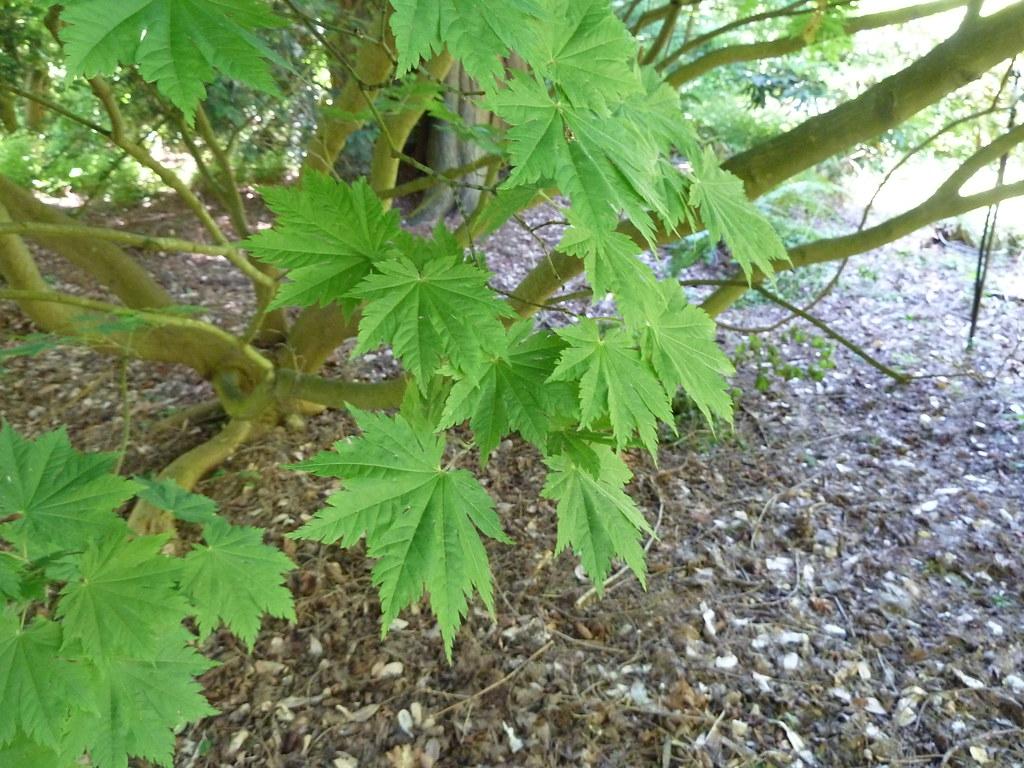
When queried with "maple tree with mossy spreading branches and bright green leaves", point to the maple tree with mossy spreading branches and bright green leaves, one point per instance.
{"points": [[583, 113]]}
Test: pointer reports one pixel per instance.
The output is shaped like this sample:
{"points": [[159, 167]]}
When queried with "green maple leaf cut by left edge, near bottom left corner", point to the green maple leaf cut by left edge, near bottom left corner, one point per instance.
{"points": [[38, 689]]}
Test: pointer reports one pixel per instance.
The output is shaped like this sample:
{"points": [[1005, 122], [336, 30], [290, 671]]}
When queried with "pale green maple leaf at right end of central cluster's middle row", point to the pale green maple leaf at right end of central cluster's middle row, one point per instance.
{"points": [[679, 342]]}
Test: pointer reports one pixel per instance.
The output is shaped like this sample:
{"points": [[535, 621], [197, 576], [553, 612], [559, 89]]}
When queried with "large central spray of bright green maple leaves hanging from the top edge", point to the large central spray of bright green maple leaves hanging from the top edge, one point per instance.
{"points": [[581, 118]]}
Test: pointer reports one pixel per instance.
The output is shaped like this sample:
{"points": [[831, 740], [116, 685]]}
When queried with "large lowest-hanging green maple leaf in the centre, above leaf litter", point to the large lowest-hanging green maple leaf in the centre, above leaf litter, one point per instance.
{"points": [[422, 523]]}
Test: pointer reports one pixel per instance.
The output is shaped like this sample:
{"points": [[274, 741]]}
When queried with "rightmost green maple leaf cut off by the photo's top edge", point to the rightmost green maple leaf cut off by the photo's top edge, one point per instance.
{"points": [[583, 48]]}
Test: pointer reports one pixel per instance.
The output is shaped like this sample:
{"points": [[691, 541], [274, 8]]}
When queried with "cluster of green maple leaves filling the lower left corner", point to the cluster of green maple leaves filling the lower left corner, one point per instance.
{"points": [[94, 655]]}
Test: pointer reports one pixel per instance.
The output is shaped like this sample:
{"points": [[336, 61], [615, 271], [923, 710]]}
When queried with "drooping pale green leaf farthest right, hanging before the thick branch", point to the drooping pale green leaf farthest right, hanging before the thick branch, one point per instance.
{"points": [[730, 216]]}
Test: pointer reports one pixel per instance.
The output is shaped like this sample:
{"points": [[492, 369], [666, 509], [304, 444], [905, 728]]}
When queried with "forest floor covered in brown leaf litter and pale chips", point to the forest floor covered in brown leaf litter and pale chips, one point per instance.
{"points": [[836, 582]]}
